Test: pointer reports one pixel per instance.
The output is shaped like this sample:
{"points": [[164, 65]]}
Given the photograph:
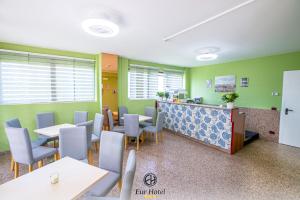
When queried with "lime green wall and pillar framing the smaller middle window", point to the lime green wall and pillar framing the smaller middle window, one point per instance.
{"points": [[137, 106]]}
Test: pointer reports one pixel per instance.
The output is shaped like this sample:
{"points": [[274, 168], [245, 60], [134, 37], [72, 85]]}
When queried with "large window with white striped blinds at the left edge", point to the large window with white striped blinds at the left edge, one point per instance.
{"points": [[36, 78]]}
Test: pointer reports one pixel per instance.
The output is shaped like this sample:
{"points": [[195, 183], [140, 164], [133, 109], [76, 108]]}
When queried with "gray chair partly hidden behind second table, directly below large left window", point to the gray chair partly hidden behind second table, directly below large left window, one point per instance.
{"points": [[44, 120]]}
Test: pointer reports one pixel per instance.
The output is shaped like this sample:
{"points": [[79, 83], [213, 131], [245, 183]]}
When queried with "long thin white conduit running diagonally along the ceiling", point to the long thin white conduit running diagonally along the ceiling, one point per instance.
{"points": [[170, 37]]}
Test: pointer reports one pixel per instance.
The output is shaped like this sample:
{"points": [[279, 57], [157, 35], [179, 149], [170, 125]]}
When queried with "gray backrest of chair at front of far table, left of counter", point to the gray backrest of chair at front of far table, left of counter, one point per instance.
{"points": [[131, 122]]}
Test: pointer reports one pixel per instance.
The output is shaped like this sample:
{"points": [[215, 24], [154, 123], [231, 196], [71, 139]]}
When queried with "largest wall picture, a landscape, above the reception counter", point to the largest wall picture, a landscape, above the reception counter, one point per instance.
{"points": [[225, 83]]}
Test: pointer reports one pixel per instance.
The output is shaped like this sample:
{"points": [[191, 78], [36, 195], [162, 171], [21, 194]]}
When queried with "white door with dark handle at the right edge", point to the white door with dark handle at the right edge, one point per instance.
{"points": [[289, 133]]}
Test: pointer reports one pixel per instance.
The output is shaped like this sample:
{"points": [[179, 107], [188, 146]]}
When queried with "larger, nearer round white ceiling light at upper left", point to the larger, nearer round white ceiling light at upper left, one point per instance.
{"points": [[100, 27]]}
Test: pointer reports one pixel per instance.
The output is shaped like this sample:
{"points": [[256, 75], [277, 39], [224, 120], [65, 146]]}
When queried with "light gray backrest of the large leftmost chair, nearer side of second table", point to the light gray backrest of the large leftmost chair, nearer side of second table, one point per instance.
{"points": [[20, 145]]}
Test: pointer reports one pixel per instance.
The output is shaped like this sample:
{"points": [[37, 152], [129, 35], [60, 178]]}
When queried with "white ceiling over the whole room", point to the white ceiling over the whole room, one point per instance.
{"points": [[264, 27]]}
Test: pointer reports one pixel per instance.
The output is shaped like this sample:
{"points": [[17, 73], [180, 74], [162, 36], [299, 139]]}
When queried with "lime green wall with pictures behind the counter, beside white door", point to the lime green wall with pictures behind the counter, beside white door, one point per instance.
{"points": [[265, 75]]}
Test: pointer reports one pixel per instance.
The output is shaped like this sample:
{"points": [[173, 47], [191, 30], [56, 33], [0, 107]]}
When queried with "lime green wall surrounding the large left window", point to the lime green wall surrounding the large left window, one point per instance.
{"points": [[63, 111]]}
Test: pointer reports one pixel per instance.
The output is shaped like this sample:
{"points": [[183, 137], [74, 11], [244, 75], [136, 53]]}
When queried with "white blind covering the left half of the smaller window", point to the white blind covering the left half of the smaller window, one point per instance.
{"points": [[143, 82]]}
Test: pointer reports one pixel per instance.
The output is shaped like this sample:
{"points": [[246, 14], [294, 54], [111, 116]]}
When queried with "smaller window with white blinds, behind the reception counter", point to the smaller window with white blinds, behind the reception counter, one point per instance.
{"points": [[144, 82]]}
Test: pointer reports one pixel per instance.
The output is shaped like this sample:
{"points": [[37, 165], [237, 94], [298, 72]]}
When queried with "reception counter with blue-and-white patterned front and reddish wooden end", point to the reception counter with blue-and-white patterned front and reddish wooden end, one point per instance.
{"points": [[217, 127]]}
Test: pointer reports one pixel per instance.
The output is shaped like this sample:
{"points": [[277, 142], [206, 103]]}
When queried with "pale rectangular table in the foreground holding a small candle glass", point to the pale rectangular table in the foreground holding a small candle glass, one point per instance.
{"points": [[75, 179]]}
